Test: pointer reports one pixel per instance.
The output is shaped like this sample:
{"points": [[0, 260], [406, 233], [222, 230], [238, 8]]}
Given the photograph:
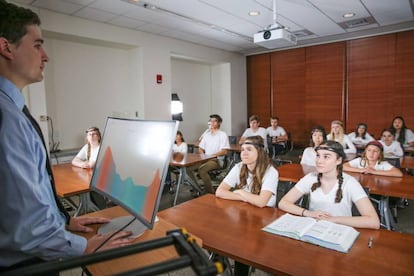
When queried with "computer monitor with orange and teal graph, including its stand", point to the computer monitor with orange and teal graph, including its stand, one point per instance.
{"points": [[131, 167]]}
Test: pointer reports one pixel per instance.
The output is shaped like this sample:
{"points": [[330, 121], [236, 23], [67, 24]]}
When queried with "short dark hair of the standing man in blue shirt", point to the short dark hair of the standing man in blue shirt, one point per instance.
{"points": [[14, 21]]}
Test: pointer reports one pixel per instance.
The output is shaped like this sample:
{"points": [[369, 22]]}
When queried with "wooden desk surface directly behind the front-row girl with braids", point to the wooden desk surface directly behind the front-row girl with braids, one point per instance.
{"points": [[378, 185]]}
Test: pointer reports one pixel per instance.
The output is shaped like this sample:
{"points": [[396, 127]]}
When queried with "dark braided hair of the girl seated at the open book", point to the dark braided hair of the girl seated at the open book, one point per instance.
{"points": [[339, 150]]}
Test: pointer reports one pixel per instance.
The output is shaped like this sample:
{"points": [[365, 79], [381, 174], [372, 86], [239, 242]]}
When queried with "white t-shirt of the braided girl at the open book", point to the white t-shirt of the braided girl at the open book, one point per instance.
{"points": [[352, 191]]}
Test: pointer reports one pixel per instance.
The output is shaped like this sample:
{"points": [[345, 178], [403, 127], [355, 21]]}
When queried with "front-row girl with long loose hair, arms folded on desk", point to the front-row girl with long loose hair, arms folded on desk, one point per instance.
{"points": [[254, 179]]}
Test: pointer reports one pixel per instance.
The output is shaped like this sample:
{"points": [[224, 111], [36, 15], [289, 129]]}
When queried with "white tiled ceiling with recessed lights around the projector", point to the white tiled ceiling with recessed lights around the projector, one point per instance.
{"points": [[226, 24]]}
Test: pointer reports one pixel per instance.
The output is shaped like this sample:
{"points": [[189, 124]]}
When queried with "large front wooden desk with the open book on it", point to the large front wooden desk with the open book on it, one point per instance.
{"points": [[233, 229]]}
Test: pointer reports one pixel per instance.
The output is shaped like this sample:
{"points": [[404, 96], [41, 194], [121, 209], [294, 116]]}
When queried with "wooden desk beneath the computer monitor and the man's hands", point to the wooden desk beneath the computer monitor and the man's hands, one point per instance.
{"points": [[138, 260]]}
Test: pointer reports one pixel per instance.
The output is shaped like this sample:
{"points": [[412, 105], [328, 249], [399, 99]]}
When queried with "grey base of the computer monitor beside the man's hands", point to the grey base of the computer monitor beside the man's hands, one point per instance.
{"points": [[136, 227]]}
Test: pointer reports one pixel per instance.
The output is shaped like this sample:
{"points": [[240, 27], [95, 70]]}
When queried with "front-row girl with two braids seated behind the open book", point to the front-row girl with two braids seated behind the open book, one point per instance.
{"points": [[331, 192]]}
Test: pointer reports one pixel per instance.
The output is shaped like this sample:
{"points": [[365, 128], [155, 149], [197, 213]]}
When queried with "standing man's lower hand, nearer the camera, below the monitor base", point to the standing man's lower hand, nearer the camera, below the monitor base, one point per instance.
{"points": [[118, 240]]}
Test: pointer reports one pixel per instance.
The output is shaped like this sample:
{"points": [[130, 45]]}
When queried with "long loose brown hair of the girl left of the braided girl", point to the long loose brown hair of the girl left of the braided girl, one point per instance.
{"points": [[262, 164]]}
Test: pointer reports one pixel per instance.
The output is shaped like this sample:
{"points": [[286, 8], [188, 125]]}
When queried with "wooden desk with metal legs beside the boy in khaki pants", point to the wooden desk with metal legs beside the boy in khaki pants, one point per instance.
{"points": [[188, 160]]}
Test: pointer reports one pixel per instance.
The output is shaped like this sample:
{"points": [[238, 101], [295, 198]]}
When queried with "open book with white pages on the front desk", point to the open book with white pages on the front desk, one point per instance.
{"points": [[323, 233]]}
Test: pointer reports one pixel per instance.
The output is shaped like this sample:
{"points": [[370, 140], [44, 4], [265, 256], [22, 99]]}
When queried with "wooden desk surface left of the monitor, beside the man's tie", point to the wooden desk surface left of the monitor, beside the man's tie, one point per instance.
{"points": [[71, 180]]}
